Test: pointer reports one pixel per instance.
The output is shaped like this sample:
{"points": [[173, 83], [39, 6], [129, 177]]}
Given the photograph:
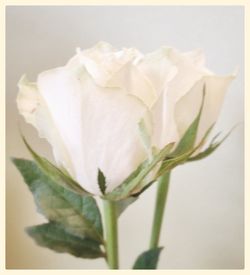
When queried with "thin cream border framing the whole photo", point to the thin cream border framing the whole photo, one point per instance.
{"points": [[3, 141]]}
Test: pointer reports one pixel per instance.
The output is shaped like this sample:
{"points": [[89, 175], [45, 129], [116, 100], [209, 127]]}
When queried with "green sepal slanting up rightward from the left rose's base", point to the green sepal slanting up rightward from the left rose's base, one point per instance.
{"points": [[126, 188]]}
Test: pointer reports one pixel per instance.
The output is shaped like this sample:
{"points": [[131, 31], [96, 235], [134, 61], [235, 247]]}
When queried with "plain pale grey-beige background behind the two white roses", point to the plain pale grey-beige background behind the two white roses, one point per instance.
{"points": [[203, 225]]}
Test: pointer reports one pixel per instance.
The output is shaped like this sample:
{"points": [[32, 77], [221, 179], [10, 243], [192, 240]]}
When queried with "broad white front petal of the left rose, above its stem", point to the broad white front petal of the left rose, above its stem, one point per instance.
{"points": [[99, 126]]}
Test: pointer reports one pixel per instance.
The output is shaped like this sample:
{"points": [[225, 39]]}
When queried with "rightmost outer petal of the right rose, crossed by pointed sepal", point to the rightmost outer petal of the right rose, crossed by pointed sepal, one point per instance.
{"points": [[188, 106]]}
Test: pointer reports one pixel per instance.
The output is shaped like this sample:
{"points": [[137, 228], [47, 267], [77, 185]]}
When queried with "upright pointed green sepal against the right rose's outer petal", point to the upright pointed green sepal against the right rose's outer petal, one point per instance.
{"points": [[188, 140]]}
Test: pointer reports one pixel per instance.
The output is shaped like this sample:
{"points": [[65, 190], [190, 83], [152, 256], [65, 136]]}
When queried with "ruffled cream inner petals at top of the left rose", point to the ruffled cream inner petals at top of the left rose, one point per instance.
{"points": [[112, 68]]}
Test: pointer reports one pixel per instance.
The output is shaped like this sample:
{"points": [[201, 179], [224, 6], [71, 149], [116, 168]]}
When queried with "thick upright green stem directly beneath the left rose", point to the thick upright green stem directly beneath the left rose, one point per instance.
{"points": [[111, 233]]}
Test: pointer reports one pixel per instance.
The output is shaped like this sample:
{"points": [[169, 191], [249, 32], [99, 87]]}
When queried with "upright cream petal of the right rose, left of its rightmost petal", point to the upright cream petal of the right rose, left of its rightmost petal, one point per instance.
{"points": [[190, 68]]}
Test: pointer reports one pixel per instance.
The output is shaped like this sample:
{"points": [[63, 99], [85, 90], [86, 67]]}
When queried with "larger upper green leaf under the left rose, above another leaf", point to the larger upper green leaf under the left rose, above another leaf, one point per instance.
{"points": [[79, 214]]}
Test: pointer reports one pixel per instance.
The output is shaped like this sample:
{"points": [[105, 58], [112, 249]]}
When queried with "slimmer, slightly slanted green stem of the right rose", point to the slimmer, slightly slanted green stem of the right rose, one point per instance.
{"points": [[161, 197]]}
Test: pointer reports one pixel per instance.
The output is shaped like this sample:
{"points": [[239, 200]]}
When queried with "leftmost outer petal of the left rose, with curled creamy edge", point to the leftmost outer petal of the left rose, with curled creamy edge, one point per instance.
{"points": [[34, 110]]}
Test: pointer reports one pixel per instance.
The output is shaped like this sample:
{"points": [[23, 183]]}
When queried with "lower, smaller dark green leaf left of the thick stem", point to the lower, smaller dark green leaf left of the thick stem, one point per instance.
{"points": [[55, 237]]}
